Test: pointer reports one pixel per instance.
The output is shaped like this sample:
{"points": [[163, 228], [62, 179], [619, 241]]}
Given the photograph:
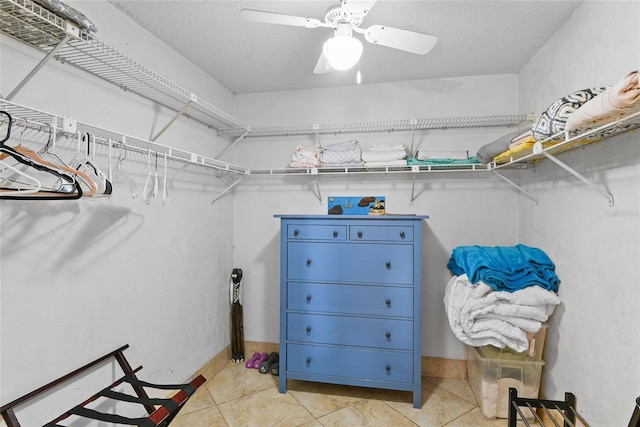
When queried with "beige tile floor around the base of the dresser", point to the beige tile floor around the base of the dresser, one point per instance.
{"points": [[238, 396]]}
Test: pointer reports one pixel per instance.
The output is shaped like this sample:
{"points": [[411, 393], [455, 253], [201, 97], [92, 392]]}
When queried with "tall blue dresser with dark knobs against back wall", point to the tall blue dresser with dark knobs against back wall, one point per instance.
{"points": [[350, 301]]}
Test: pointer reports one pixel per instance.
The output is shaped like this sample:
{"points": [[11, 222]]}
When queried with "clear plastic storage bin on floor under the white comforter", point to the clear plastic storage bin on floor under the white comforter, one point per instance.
{"points": [[491, 374]]}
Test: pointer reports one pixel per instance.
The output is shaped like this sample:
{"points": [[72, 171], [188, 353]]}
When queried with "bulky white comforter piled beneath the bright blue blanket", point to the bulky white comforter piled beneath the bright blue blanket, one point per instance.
{"points": [[479, 316]]}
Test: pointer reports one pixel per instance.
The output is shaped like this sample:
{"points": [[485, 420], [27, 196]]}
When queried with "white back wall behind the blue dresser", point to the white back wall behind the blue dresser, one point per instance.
{"points": [[464, 208]]}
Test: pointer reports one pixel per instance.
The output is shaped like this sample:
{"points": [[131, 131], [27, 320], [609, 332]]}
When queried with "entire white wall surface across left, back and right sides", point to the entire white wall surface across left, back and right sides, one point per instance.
{"points": [[80, 278]]}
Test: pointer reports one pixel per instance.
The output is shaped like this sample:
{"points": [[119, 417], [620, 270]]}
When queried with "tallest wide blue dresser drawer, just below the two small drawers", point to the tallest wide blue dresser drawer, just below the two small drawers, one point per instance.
{"points": [[350, 262]]}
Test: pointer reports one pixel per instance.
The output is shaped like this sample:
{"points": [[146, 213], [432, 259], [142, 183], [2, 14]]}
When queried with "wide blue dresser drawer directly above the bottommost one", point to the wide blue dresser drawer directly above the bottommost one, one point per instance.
{"points": [[356, 331]]}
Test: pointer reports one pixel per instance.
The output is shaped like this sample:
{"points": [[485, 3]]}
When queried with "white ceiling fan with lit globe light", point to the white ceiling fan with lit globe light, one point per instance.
{"points": [[342, 51]]}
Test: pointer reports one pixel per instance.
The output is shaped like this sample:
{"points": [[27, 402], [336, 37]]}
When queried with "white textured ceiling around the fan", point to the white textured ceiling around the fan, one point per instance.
{"points": [[474, 38]]}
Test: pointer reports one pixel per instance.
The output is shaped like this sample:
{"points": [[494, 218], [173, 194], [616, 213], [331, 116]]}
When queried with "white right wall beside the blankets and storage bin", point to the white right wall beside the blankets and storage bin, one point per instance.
{"points": [[592, 345]]}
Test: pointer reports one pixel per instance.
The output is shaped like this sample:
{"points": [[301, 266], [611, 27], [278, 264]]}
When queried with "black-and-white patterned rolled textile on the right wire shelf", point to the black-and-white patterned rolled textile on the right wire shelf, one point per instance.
{"points": [[554, 119]]}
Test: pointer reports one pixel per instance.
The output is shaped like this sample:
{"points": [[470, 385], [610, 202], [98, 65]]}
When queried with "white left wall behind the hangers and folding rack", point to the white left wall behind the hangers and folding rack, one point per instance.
{"points": [[81, 278]]}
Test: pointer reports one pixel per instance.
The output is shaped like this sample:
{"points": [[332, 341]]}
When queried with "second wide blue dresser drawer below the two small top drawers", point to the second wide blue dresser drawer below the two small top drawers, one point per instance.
{"points": [[389, 301]]}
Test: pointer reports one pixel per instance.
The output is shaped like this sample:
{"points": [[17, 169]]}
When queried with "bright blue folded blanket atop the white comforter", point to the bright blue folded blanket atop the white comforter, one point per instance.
{"points": [[505, 268]]}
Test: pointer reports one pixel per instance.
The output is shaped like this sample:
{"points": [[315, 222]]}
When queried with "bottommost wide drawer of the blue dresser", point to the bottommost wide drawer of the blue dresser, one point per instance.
{"points": [[376, 365]]}
